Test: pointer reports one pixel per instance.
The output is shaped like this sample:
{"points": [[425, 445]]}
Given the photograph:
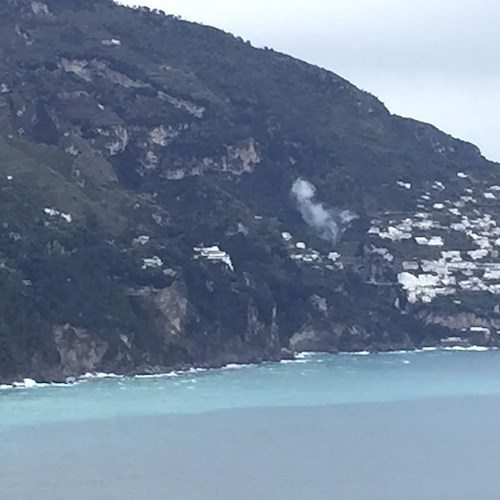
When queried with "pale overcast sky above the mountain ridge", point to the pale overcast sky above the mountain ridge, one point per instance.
{"points": [[433, 60]]}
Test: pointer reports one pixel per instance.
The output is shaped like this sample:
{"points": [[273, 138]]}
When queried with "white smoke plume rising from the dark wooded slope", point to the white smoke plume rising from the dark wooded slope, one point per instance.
{"points": [[329, 223]]}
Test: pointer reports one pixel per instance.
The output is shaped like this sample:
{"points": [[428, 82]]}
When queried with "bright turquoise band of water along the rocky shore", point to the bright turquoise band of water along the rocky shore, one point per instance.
{"points": [[313, 380]]}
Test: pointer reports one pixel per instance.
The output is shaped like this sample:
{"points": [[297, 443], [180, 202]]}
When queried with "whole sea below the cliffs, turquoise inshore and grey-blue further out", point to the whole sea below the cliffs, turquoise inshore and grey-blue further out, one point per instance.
{"points": [[406, 425]]}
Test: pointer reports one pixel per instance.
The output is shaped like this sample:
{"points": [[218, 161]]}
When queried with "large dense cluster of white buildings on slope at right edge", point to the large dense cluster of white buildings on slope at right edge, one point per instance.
{"points": [[437, 268]]}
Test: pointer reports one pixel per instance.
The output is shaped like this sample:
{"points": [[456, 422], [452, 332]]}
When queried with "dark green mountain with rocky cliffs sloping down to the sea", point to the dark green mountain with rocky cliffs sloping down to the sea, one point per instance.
{"points": [[172, 196]]}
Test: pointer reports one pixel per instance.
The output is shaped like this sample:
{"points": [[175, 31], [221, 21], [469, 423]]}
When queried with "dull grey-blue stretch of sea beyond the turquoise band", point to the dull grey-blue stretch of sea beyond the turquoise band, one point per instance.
{"points": [[437, 448]]}
